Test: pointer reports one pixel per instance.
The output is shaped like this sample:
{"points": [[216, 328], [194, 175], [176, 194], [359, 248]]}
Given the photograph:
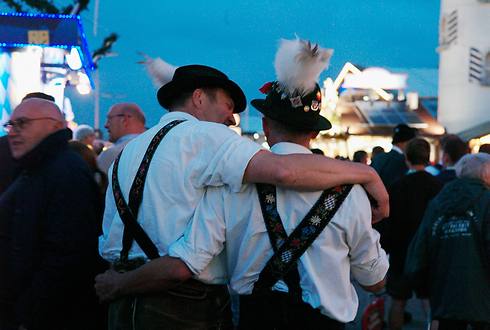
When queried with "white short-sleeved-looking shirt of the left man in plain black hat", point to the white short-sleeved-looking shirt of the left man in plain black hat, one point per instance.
{"points": [[192, 156]]}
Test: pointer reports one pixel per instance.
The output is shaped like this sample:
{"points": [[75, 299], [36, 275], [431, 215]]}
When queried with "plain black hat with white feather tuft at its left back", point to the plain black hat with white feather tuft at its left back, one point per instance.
{"points": [[175, 81]]}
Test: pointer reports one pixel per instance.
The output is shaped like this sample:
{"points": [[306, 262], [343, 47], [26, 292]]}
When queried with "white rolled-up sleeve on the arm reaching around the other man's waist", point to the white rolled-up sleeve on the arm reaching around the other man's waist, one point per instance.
{"points": [[204, 237]]}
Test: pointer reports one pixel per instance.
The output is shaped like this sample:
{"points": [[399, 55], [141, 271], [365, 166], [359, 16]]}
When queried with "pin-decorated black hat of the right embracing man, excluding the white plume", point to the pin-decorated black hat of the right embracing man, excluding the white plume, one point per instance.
{"points": [[301, 112]]}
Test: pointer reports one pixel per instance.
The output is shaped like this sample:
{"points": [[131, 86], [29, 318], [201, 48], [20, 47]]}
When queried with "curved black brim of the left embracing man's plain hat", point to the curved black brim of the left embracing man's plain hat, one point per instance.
{"points": [[168, 92]]}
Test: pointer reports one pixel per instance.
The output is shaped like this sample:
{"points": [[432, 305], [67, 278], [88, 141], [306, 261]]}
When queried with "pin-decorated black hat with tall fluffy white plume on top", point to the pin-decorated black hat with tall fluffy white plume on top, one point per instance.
{"points": [[295, 98]]}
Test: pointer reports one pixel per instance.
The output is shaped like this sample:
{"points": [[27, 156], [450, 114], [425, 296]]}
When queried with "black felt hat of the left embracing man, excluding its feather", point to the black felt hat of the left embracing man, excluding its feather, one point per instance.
{"points": [[189, 77]]}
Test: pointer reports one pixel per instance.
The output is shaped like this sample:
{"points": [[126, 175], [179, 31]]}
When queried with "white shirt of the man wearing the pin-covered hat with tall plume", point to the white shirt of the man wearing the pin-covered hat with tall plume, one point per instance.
{"points": [[348, 245]]}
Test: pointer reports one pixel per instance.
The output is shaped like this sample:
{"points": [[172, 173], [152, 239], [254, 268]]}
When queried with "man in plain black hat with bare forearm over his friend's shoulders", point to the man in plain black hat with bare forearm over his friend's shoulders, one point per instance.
{"points": [[197, 153]]}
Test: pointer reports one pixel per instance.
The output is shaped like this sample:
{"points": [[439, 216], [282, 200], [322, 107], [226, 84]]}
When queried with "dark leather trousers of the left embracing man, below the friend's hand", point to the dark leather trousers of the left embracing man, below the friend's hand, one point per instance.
{"points": [[191, 305]]}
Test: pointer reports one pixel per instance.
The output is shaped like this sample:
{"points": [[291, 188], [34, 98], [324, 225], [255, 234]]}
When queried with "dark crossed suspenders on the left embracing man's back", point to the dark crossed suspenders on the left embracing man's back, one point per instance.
{"points": [[129, 213]]}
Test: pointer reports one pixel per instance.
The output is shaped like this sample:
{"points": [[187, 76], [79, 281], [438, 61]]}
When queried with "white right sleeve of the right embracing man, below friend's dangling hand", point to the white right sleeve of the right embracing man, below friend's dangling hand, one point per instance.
{"points": [[369, 263]]}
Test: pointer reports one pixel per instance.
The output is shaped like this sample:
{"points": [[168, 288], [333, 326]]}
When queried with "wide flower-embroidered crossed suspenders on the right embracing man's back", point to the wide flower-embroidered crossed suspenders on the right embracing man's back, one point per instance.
{"points": [[289, 249]]}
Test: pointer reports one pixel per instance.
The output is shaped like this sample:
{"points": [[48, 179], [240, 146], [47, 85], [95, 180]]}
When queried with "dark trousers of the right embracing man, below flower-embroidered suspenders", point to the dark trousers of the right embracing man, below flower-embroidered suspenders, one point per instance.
{"points": [[277, 310]]}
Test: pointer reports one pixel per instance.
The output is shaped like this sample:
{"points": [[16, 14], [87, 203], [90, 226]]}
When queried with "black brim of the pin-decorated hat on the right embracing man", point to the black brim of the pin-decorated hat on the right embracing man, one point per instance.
{"points": [[321, 124]]}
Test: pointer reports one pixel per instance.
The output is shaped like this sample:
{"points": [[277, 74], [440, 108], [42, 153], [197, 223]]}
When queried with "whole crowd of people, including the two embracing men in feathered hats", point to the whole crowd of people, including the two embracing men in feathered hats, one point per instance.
{"points": [[187, 225]]}
